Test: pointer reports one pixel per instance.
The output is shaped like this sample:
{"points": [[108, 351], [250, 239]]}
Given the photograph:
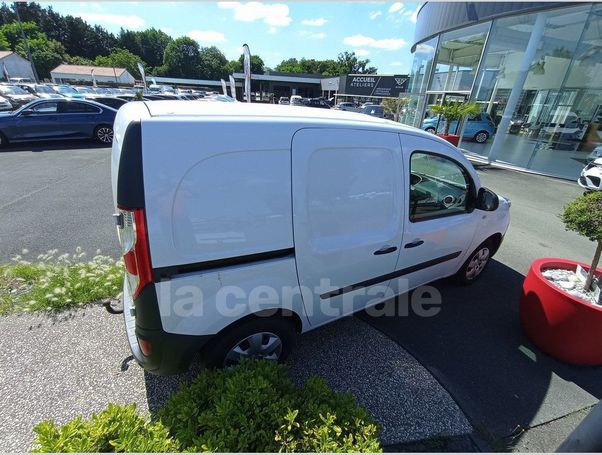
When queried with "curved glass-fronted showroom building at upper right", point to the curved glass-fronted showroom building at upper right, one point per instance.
{"points": [[534, 67]]}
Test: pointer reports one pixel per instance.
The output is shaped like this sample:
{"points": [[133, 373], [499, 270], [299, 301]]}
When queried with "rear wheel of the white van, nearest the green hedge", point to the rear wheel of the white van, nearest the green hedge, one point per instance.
{"points": [[271, 338]]}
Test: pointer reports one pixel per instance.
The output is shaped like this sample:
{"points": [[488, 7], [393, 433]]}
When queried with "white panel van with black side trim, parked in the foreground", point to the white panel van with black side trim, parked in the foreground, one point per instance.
{"points": [[245, 224]]}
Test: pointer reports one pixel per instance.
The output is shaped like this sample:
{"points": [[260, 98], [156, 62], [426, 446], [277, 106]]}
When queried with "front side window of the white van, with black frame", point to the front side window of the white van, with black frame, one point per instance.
{"points": [[438, 187]]}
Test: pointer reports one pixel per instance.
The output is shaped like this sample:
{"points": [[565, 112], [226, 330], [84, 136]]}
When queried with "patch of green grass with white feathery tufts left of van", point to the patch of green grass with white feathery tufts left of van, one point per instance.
{"points": [[58, 282]]}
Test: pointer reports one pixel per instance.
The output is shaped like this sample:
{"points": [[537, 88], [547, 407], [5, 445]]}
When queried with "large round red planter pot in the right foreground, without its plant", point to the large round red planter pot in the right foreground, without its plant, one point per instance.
{"points": [[560, 324]]}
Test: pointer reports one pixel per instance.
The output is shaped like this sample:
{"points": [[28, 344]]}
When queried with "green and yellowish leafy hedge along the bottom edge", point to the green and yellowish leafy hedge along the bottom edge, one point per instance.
{"points": [[253, 407]]}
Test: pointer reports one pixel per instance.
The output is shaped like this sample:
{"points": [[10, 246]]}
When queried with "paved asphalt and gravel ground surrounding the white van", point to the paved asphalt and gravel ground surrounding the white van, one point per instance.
{"points": [[467, 373]]}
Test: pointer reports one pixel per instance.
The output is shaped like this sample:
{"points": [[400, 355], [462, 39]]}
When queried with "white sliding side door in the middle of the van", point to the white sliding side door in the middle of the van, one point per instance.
{"points": [[348, 212]]}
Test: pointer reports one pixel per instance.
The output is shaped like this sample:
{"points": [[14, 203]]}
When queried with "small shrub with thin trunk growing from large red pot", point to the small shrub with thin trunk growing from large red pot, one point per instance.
{"points": [[584, 216]]}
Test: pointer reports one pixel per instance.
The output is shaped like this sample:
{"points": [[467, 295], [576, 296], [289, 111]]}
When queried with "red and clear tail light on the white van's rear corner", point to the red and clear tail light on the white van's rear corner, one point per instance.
{"points": [[134, 246]]}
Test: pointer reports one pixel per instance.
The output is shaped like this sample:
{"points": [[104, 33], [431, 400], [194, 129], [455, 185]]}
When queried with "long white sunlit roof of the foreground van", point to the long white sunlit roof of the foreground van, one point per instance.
{"points": [[277, 111]]}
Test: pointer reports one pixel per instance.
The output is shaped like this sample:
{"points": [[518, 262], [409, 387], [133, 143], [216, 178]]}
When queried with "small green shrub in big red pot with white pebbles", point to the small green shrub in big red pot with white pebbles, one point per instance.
{"points": [[560, 307]]}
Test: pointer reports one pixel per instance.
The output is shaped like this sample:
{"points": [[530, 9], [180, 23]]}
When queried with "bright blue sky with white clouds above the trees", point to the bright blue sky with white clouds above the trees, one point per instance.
{"points": [[379, 31]]}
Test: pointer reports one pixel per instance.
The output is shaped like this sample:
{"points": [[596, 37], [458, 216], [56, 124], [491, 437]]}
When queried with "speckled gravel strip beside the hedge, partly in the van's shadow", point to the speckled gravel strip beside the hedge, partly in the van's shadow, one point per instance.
{"points": [[76, 363]]}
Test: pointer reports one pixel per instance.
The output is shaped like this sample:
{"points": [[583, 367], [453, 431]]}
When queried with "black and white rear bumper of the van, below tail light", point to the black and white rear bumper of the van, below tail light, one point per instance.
{"points": [[170, 353]]}
